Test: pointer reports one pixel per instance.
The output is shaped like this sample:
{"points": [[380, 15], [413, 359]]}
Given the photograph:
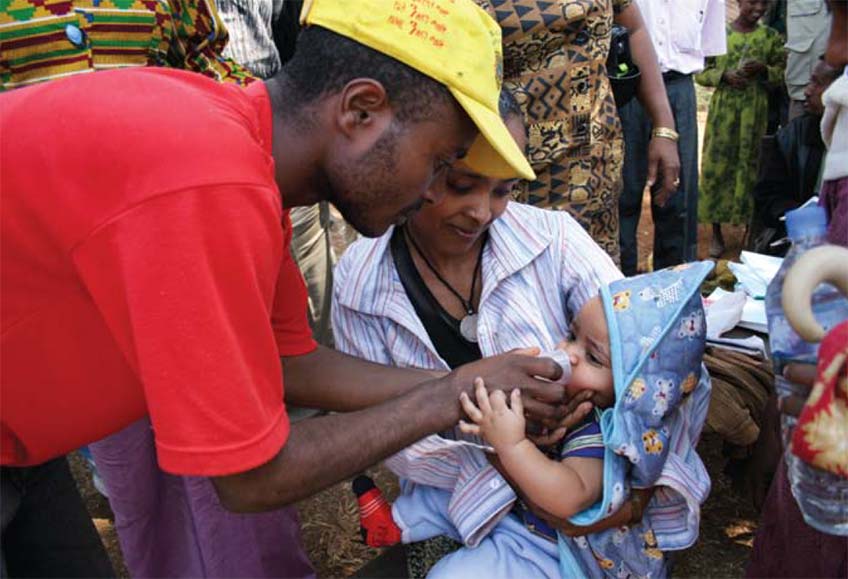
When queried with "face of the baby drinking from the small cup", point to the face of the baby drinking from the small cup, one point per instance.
{"points": [[589, 352]]}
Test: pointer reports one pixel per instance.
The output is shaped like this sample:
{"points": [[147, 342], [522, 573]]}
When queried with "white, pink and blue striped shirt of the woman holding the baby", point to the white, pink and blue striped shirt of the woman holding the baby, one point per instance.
{"points": [[539, 268]]}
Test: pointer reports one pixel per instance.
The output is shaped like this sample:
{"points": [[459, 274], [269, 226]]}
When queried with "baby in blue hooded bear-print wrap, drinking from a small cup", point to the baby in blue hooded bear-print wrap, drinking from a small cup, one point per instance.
{"points": [[638, 346]]}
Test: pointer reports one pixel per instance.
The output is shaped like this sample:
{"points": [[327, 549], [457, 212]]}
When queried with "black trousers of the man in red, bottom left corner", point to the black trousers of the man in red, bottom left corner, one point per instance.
{"points": [[50, 534]]}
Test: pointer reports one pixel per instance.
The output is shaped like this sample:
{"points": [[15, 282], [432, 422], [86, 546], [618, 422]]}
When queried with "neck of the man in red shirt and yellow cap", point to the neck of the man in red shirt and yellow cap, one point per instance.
{"points": [[297, 154]]}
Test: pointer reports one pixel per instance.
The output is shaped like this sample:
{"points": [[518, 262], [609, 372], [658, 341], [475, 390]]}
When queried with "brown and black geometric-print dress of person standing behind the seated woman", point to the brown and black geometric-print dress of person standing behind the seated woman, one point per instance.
{"points": [[555, 60]]}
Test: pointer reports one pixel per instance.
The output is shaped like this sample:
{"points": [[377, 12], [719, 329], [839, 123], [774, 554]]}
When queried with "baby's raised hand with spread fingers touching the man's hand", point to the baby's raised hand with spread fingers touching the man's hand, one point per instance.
{"points": [[500, 425]]}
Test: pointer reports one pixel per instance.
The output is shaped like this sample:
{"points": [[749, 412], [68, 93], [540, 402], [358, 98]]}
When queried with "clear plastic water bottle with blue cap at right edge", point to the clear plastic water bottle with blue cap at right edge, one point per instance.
{"points": [[821, 495]]}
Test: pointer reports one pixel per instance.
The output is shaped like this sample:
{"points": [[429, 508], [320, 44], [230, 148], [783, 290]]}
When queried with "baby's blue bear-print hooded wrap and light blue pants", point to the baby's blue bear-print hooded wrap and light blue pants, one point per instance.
{"points": [[662, 395]]}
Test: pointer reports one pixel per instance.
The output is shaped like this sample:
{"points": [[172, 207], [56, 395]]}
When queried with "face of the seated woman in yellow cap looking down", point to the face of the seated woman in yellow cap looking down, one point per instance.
{"points": [[470, 204]]}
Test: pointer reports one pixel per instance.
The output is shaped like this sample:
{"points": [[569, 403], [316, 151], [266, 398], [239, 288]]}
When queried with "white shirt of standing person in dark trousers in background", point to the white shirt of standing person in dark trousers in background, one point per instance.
{"points": [[685, 32]]}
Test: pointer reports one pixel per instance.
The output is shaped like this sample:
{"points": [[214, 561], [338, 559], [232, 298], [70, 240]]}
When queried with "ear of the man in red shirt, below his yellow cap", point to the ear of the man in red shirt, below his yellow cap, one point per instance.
{"points": [[363, 105]]}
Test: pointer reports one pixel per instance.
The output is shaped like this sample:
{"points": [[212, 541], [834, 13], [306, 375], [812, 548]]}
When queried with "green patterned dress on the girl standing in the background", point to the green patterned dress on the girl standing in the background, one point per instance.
{"points": [[735, 125]]}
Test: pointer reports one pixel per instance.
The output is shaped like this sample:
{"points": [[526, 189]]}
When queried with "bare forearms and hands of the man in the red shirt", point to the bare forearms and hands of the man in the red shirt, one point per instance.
{"points": [[323, 451]]}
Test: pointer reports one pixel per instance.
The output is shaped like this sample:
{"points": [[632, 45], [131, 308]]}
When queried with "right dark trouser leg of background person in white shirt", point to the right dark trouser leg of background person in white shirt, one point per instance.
{"points": [[676, 224]]}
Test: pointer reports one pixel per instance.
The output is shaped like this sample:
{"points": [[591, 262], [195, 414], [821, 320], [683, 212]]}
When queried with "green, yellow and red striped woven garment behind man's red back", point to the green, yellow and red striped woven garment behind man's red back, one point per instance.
{"points": [[48, 39]]}
